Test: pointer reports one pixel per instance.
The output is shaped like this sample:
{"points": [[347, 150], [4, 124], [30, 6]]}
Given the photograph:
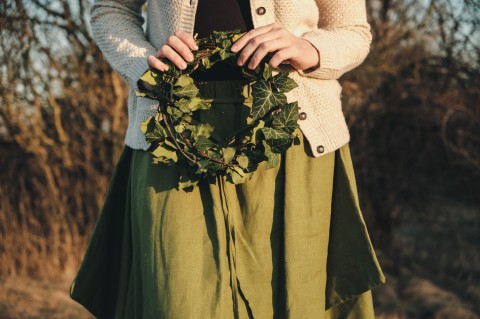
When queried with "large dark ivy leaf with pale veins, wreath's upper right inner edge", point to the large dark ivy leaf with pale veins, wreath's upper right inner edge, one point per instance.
{"points": [[264, 99]]}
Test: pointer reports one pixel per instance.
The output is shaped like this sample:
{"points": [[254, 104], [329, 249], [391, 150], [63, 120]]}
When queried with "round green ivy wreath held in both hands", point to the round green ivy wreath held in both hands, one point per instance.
{"points": [[176, 138]]}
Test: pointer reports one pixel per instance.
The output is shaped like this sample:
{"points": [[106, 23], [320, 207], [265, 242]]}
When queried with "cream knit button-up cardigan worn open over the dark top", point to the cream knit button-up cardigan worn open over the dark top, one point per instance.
{"points": [[337, 28]]}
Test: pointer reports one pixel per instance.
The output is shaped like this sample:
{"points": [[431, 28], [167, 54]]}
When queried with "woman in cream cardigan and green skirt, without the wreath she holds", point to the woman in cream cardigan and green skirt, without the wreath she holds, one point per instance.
{"points": [[289, 243]]}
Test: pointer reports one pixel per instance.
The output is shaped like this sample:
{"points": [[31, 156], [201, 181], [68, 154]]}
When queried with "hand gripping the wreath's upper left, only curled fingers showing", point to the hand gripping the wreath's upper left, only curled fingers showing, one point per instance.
{"points": [[177, 49]]}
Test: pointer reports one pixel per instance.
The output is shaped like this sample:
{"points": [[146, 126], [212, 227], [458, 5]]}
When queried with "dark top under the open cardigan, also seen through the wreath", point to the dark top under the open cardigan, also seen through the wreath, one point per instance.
{"points": [[221, 15]]}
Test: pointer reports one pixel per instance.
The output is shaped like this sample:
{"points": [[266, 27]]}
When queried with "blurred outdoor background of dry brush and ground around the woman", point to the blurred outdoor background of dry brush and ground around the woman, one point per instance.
{"points": [[413, 109]]}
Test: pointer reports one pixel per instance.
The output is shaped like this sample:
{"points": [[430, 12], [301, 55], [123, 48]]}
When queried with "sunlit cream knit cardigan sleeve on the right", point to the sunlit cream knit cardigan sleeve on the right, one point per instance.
{"points": [[342, 39]]}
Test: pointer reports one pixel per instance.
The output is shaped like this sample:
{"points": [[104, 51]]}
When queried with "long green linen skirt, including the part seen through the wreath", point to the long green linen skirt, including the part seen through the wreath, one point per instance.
{"points": [[289, 243]]}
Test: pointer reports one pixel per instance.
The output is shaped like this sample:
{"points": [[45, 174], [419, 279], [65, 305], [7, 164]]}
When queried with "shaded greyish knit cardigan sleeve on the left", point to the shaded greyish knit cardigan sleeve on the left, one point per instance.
{"points": [[117, 30]]}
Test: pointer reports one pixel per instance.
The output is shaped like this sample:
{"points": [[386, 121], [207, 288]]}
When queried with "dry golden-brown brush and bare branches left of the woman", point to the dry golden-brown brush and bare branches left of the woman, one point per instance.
{"points": [[62, 120]]}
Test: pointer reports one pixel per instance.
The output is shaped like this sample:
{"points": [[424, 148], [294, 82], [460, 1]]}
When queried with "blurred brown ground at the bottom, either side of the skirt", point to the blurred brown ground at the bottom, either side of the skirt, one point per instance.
{"points": [[405, 296]]}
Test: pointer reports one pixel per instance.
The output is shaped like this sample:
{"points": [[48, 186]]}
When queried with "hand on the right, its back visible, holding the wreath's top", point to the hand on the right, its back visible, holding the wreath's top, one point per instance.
{"points": [[288, 48]]}
